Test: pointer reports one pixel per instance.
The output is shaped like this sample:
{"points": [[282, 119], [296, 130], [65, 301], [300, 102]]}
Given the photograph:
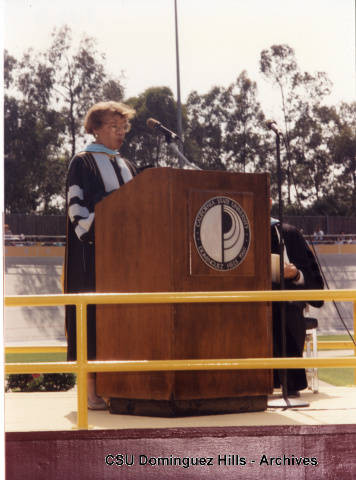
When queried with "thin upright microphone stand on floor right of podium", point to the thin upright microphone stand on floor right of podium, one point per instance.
{"points": [[283, 402]]}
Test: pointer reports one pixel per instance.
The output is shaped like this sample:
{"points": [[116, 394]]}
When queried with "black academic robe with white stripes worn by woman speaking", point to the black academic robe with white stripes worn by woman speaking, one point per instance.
{"points": [[91, 177]]}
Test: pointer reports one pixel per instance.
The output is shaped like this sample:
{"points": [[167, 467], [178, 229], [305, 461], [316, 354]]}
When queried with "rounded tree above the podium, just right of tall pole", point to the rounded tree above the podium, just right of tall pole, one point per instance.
{"points": [[225, 127]]}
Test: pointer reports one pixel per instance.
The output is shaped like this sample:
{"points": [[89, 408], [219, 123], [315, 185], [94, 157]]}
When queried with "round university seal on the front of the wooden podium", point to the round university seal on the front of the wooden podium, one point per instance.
{"points": [[222, 233]]}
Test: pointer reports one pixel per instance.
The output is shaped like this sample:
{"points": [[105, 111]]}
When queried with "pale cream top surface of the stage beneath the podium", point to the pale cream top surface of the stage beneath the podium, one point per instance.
{"points": [[57, 411]]}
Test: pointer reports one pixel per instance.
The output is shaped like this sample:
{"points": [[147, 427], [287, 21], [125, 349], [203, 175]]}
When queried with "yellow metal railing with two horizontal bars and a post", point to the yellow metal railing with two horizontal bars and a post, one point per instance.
{"points": [[82, 366]]}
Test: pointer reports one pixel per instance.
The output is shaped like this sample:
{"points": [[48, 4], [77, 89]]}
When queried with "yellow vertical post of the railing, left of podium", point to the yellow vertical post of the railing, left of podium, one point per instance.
{"points": [[82, 361]]}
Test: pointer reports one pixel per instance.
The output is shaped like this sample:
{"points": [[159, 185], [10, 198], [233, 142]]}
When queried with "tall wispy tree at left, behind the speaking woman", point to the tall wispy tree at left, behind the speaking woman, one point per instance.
{"points": [[46, 97]]}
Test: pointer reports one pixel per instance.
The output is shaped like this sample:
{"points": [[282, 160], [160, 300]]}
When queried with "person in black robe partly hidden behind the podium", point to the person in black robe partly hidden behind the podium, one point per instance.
{"points": [[301, 271]]}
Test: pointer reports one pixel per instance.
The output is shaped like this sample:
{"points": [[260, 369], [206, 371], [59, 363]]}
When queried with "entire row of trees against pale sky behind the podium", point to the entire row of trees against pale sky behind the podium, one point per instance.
{"points": [[48, 93]]}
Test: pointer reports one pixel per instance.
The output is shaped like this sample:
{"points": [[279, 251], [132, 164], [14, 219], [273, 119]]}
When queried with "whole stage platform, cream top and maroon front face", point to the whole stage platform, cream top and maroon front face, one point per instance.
{"points": [[315, 442]]}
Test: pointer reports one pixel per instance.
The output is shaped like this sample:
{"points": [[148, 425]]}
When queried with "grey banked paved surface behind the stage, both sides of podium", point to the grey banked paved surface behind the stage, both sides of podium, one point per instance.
{"points": [[29, 275]]}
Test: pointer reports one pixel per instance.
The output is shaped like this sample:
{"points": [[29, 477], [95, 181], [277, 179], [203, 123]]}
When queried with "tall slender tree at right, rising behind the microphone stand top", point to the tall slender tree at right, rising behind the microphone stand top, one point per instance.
{"points": [[301, 102]]}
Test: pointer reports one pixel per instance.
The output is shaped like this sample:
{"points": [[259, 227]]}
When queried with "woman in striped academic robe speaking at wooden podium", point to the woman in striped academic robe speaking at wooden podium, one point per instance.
{"points": [[92, 175]]}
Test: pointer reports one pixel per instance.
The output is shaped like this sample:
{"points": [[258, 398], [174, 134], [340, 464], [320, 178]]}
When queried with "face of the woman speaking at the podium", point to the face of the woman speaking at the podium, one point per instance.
{"points": [[112, 132]]}
